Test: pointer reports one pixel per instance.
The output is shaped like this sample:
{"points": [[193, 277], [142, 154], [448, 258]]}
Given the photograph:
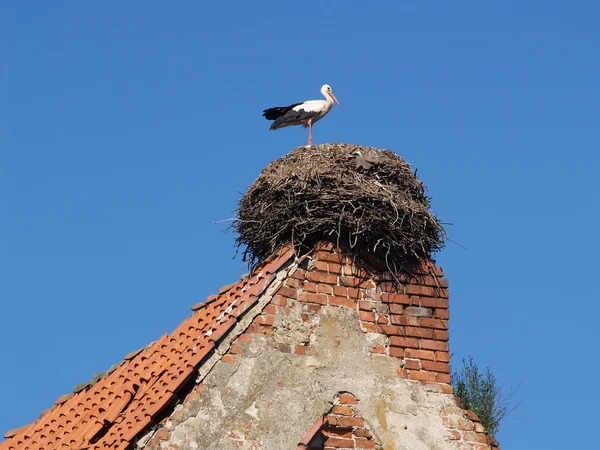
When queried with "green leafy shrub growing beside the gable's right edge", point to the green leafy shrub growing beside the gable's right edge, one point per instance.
{"points": [[479, 391]]}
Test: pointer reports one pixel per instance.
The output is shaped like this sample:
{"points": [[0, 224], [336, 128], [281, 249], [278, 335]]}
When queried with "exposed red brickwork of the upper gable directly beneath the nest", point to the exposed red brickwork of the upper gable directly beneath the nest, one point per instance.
{"points": [[406, 321]]}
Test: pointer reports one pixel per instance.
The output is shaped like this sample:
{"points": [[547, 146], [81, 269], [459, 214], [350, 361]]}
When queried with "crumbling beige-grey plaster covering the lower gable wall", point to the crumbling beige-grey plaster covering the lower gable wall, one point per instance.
{"points": [[268, 399]]}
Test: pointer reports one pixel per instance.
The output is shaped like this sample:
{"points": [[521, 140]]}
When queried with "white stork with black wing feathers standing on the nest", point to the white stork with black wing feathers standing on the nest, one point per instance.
{"points": [[306, 114]]}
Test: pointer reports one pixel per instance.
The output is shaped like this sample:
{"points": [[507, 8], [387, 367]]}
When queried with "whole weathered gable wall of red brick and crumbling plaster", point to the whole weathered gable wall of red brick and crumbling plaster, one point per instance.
{"points": [[404, 328]]}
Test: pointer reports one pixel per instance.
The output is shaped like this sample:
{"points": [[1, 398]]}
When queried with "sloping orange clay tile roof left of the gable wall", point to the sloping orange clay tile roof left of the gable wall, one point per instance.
{"points": [[109, 413]]}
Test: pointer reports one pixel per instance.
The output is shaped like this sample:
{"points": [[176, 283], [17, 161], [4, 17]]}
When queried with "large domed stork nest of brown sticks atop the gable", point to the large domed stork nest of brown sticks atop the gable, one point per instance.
{"points": [[367, 201]]}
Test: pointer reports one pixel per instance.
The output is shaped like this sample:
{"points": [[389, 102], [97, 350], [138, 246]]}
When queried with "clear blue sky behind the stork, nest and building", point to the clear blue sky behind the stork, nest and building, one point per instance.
{"points": [[128, 128]]}
